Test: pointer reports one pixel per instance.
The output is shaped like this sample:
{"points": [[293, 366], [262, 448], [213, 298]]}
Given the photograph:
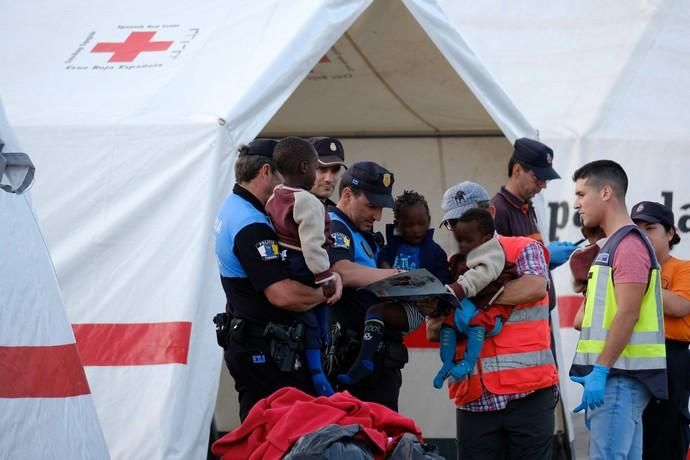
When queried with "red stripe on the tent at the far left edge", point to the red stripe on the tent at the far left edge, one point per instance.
{"points": [[41, 372]]}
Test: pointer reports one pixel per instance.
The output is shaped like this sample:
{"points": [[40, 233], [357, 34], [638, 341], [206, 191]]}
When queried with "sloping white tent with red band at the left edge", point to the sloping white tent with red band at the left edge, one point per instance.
{"points": [[46, 407]]}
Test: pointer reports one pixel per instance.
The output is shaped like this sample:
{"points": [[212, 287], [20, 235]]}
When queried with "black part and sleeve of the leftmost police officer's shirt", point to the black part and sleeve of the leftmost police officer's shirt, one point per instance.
{"points": [[255, 246]]}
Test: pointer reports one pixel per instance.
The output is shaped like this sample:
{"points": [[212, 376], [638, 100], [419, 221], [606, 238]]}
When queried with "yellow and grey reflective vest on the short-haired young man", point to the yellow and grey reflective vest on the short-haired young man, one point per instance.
{"points": [[644, 357]]}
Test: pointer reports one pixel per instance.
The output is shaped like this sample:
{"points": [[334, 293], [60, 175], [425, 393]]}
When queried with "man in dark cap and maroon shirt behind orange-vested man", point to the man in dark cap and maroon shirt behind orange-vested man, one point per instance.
{"points": [[529, 170]]}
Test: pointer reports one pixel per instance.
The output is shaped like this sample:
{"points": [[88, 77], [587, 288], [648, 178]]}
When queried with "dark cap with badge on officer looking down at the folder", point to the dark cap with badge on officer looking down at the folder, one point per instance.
{"points": [[374, 180]]}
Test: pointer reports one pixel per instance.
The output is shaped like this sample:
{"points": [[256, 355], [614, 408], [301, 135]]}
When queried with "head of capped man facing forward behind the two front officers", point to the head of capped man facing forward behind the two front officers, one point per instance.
{"points": [[331, 162]]}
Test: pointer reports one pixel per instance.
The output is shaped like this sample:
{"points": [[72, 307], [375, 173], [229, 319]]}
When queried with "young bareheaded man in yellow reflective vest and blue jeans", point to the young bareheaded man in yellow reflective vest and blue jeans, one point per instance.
{"points": [[620, 357]]}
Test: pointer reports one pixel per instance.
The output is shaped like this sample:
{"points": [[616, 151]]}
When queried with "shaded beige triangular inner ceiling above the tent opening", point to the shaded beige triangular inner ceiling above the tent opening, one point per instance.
{"points": [[384, 77]]}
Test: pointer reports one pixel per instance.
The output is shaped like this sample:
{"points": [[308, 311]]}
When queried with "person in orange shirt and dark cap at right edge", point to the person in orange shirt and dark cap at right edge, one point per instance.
{"points": [[665, 430]]}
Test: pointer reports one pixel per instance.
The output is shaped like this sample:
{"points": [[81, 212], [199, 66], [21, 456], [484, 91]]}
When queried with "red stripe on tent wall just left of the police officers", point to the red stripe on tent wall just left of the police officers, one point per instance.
{"points": [[133, 344]]}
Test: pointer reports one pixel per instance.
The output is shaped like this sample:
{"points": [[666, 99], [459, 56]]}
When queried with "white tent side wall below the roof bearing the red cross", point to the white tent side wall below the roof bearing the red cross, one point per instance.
{"points": [[118, 264]]}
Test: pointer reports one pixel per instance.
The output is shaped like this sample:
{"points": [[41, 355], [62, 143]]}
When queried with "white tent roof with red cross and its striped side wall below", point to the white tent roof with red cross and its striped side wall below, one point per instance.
{"points": [[132, 113]]}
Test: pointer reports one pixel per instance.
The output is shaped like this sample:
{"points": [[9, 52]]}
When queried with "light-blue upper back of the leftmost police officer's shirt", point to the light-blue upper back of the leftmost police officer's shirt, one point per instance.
{"points": [[235, 214]]}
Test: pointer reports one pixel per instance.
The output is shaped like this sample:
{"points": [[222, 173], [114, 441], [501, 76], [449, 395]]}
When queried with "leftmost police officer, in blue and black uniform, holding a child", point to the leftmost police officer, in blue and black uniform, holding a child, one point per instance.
{"points": [[262, 353]]}
